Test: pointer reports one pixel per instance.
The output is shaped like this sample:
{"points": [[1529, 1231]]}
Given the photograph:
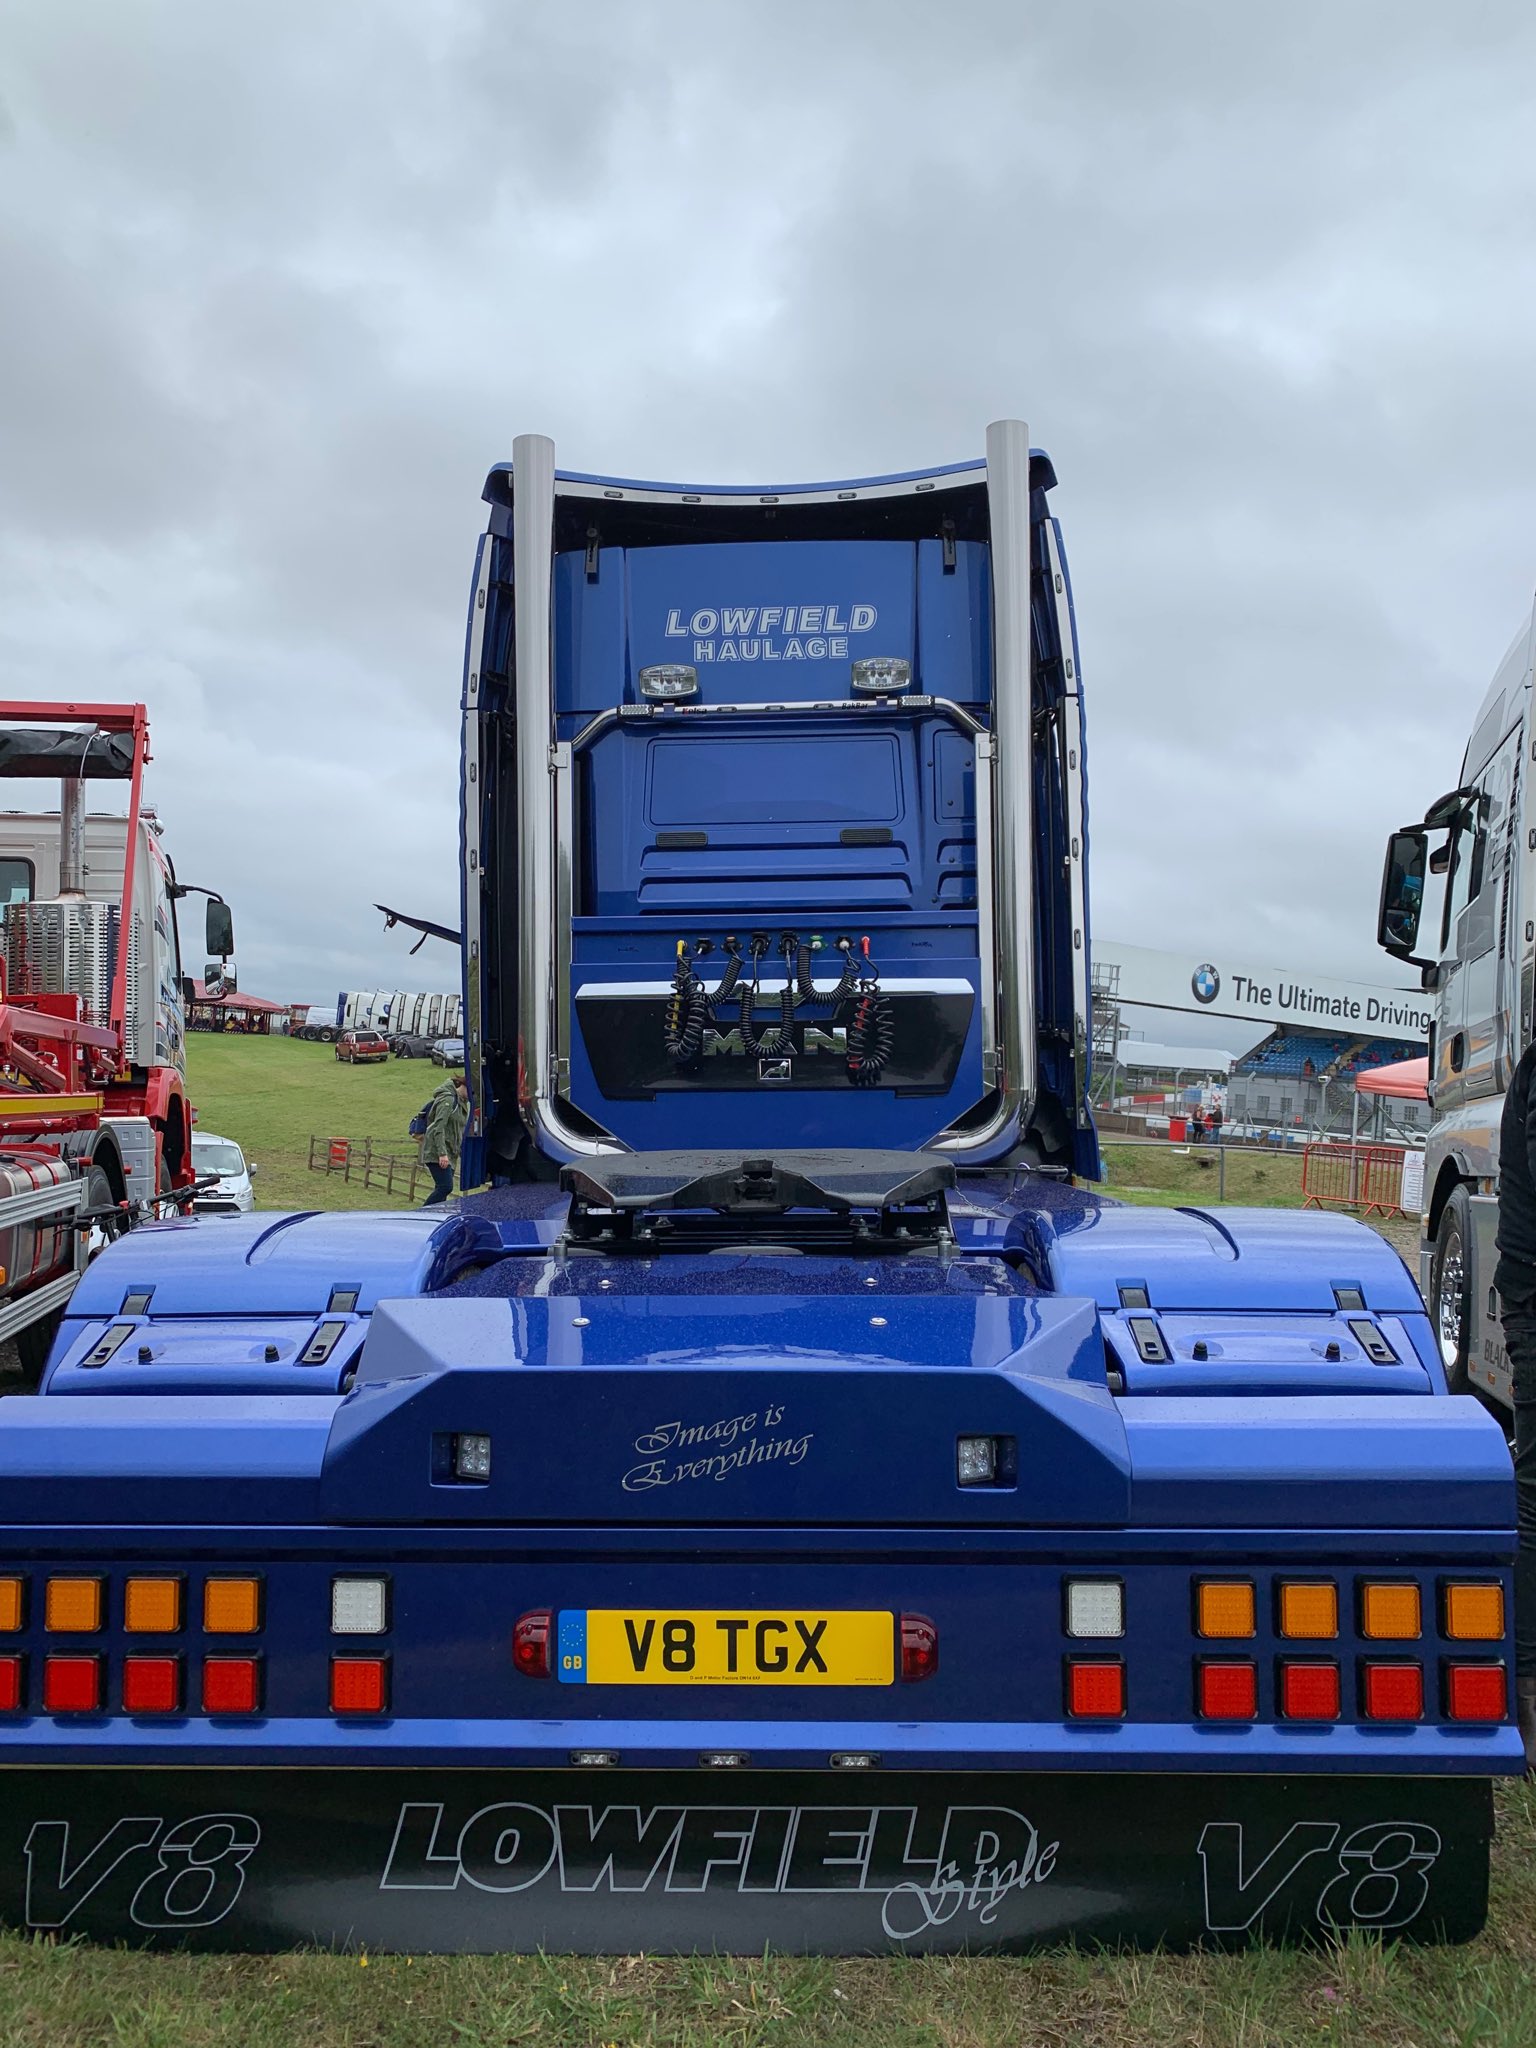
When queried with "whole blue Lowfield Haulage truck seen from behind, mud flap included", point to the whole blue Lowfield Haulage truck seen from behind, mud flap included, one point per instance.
{"points": [[787, 1504]]}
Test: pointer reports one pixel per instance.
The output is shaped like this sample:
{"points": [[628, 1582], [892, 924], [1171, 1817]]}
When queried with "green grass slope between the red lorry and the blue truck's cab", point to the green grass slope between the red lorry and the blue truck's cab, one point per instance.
{"points": [[273, 1095]]}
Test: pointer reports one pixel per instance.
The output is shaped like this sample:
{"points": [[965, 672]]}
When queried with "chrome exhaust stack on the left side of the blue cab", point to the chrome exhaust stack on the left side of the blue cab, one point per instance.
{"points": [[544, 939]]}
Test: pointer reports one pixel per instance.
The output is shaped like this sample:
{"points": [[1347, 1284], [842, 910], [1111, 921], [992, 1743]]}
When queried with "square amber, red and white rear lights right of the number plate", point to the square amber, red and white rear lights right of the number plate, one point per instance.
{"points": [[1308, 1687]]}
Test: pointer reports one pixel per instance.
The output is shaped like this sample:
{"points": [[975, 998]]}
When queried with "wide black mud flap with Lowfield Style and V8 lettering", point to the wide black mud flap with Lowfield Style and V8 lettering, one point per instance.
{"points": [[847, 1865]]}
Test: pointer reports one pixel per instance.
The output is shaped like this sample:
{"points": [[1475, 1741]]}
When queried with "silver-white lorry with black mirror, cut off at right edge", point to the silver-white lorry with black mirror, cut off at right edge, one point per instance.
{"points": [[1459, 902]]}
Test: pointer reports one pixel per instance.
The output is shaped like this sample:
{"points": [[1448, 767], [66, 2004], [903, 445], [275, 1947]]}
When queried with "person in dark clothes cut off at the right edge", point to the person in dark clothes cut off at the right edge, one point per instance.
{"points": [[1517, 1287]]}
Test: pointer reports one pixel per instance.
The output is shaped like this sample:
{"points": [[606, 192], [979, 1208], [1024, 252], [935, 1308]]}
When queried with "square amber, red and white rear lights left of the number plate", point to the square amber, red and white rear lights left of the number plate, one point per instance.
{"points": [[75, 1678]]}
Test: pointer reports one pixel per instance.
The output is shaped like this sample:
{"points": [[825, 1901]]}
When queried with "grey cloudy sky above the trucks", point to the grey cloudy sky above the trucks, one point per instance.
{"points": [[280, 284]]}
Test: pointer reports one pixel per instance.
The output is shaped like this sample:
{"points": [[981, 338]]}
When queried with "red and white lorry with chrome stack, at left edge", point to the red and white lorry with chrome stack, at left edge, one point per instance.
{"points": [[95, 1125]]}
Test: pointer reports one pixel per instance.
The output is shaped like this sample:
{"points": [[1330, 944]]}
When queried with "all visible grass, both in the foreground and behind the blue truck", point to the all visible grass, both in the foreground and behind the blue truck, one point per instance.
{"points": [[271, 1097]]}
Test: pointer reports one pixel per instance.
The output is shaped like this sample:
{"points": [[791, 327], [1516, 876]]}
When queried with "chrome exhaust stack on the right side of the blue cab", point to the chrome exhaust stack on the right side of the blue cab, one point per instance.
{"points": [[1007, 816]]}
